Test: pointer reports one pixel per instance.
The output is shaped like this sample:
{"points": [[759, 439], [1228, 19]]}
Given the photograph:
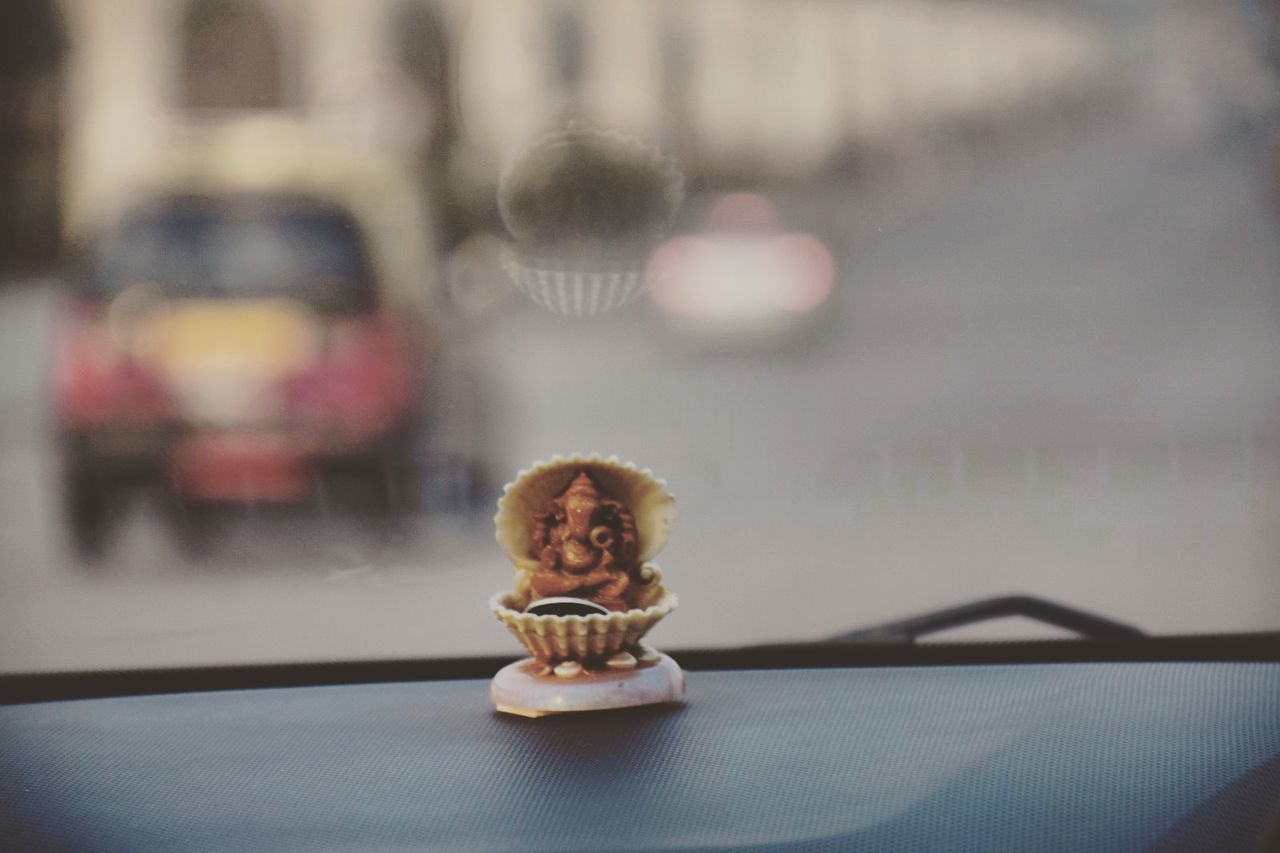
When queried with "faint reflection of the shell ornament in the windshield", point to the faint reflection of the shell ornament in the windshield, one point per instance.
{"points": [[586, 207]]}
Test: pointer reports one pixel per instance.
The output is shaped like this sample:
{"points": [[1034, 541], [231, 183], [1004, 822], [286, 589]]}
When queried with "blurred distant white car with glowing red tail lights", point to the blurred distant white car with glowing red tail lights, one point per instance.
{"points": [[742, 282]]}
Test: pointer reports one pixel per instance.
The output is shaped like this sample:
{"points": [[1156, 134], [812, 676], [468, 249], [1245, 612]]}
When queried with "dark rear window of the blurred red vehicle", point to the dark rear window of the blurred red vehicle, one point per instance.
{"points": [[312, 256]]}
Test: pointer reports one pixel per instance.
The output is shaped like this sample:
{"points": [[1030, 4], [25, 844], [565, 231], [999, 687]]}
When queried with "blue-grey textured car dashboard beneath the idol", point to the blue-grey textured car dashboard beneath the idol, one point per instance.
{"points": [[1036, 758]]}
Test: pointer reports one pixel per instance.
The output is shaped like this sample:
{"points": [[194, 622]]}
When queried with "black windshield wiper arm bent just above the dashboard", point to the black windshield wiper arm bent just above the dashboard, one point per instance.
{"points": [[908, 631]]}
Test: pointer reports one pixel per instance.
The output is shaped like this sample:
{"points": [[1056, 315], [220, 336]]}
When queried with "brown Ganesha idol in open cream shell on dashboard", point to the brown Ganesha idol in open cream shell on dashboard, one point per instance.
{"points": [[582, 533]]}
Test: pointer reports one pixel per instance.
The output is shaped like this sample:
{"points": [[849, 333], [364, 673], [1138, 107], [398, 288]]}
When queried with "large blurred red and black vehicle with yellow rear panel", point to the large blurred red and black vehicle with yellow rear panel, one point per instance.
{"points": [[237, 349]]}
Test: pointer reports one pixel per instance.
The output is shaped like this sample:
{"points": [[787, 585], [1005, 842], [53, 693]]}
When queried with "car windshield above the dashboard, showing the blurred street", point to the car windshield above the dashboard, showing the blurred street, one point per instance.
{"points": [[911, 304]]}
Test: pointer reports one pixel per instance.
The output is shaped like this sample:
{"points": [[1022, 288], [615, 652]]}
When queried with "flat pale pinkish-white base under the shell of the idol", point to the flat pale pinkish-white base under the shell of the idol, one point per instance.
{"points": [[520, 688]]}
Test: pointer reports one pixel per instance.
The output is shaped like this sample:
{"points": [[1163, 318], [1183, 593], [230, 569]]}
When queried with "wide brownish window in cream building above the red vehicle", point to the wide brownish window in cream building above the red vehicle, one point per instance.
{"points": [[231, 57]]}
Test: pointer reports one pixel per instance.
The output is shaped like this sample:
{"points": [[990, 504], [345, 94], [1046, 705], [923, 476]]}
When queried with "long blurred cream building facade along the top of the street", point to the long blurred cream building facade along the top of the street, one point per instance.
{"points": [[442, 90]]}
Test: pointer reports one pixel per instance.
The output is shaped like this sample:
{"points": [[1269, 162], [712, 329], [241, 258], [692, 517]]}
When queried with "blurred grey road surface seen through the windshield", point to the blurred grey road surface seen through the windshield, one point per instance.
{"points": [[1058, 377]]}
